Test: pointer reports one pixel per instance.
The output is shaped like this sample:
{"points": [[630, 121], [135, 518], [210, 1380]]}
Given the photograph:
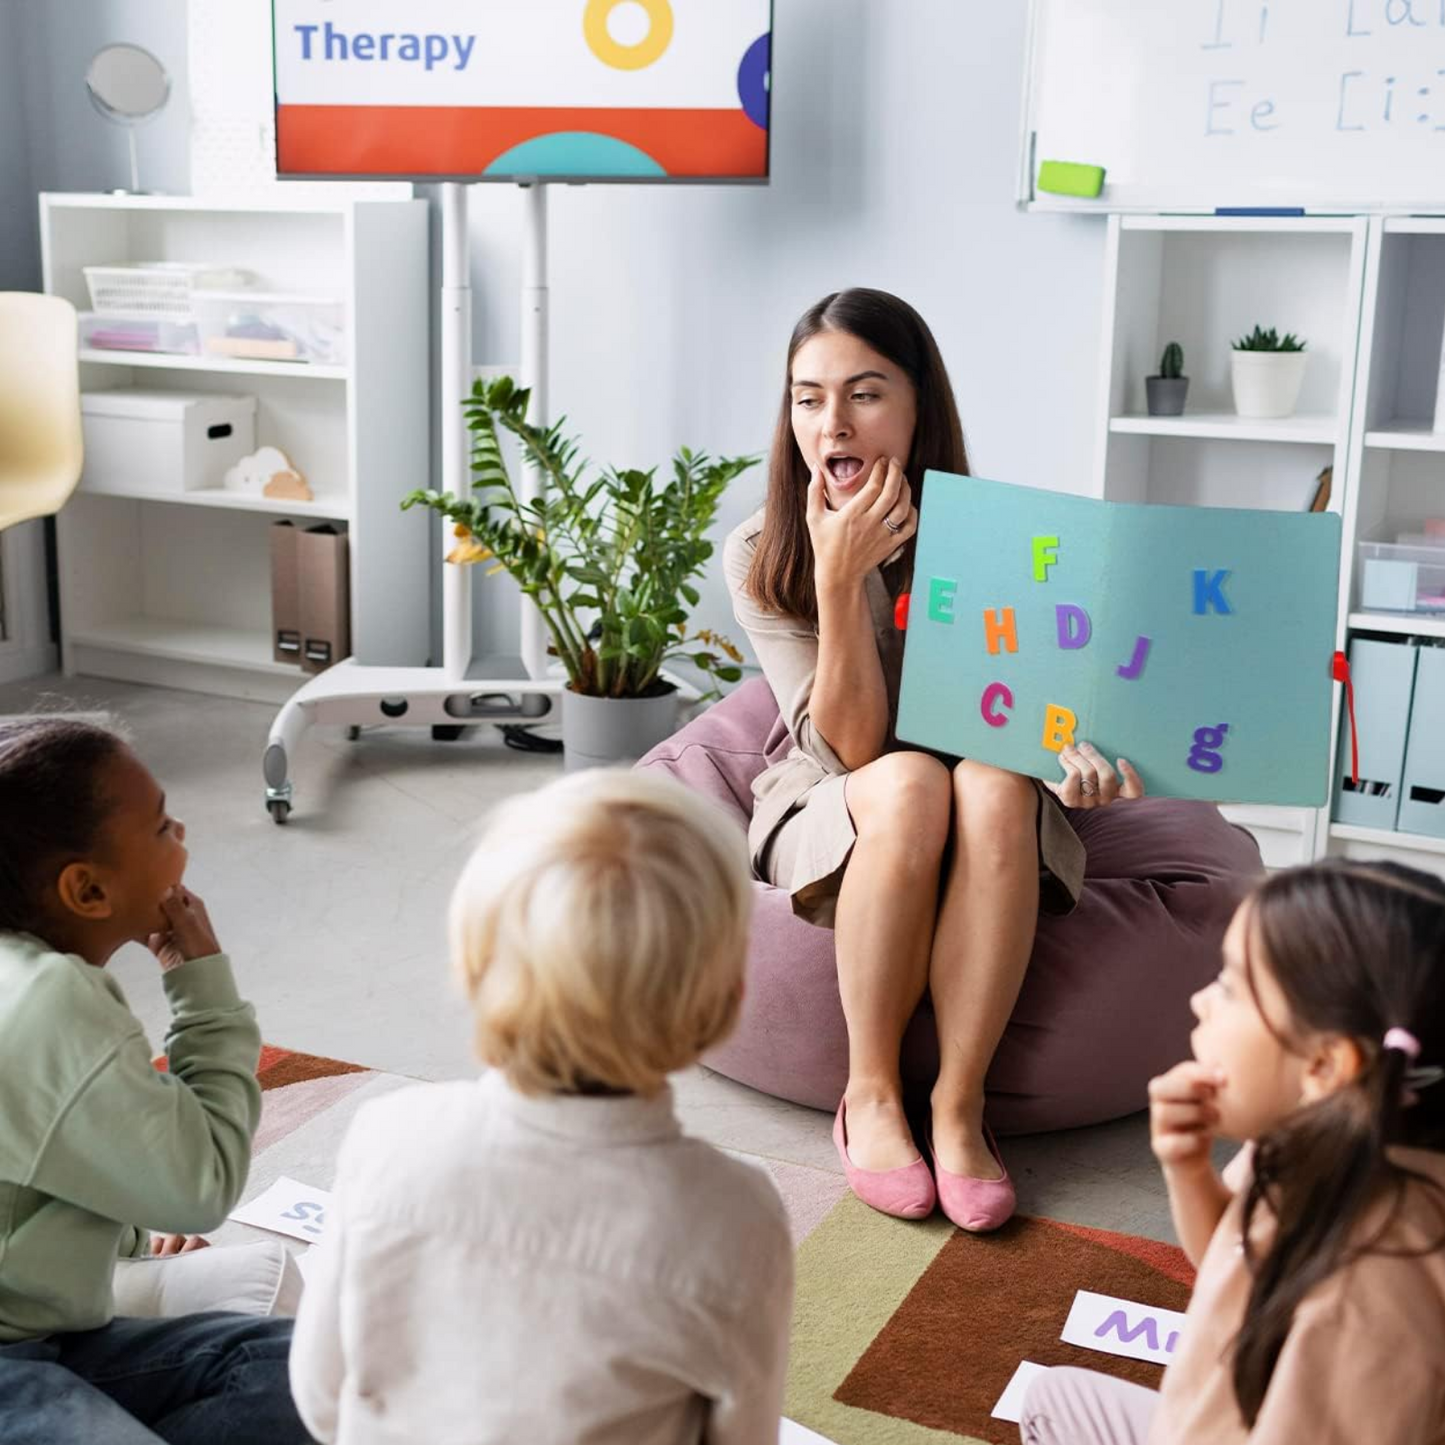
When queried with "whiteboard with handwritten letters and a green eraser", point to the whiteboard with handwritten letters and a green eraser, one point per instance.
{"points": [[1202, 105]]}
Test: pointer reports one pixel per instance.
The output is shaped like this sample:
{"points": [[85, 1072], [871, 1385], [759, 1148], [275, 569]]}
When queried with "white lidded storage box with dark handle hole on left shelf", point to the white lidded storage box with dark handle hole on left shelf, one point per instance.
{"points": [[142, 443]]}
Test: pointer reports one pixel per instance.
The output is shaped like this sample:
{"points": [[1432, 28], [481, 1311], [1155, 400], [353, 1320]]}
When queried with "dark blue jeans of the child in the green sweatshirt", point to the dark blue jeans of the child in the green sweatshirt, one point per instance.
{"points": [[215, 1379]]}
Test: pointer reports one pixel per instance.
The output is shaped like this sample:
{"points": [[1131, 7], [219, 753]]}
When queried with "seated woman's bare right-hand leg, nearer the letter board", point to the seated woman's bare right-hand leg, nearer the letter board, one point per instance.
{"points": [[982, 947]]}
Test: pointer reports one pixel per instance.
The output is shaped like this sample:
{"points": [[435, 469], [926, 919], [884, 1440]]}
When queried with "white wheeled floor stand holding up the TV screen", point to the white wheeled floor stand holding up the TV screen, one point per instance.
{"points": [[465, 689]]}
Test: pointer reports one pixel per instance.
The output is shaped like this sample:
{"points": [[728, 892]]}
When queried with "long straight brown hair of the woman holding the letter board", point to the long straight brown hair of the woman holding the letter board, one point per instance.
{"points": [[782, 573]]}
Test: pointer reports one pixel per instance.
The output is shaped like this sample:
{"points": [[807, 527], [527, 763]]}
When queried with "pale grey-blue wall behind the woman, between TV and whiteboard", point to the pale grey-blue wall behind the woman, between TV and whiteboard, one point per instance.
{"points": [[895, 150]]}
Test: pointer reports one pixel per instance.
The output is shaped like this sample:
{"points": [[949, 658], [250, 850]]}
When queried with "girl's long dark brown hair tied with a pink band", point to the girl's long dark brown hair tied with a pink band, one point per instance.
{"points": [[1358, 950]]}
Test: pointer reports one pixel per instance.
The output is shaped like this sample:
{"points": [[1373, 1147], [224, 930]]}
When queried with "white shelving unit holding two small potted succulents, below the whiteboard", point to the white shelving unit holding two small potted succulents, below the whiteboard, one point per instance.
{"points": [[1204, 281]]}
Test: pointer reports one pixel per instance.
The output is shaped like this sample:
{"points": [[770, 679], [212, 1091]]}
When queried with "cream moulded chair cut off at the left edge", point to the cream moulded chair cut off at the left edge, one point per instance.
{"points": [[40, 407]]}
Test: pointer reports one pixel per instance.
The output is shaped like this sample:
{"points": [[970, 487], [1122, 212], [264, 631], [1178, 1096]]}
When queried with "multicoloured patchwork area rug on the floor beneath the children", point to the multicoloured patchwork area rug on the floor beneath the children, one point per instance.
{"points": [[904, 1334]]}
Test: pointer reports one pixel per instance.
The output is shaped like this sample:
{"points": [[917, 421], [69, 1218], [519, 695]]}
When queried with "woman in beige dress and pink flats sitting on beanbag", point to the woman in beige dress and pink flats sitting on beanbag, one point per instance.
{"points": [[931, 871]]}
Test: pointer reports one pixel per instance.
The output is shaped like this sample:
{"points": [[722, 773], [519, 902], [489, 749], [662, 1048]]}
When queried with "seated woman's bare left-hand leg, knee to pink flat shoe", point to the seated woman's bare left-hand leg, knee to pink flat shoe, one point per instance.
{"points": [[884, 933]]}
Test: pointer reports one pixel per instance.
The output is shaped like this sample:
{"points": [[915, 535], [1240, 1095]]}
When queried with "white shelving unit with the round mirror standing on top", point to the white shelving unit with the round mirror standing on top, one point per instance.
{"points": [[174, 589]]}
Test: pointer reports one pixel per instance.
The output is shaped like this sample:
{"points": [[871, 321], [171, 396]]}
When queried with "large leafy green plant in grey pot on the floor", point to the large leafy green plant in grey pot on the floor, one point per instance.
{"points": [[608, 560]]}
